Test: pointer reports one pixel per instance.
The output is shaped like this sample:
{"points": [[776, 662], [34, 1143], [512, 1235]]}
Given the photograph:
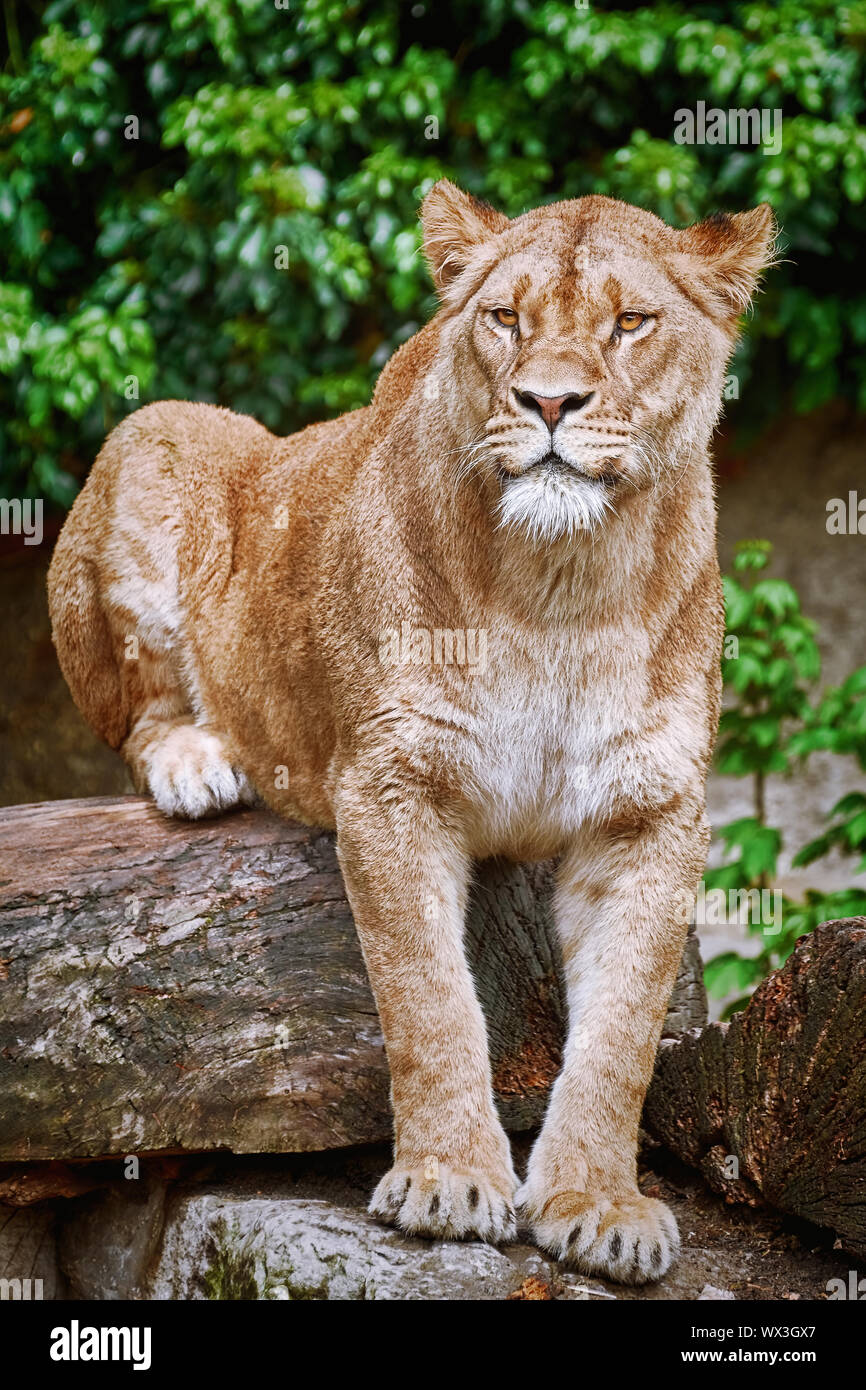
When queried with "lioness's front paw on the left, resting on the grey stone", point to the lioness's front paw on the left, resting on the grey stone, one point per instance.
{"points": [[450, 1203]]}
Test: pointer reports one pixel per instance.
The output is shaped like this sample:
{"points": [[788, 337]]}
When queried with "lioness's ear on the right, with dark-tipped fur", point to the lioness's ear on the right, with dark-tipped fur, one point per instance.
{"points": [[725, 256]]}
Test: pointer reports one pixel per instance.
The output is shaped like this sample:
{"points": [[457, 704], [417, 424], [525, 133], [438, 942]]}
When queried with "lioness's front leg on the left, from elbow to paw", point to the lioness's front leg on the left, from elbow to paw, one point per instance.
{"points": [[407, 881]]}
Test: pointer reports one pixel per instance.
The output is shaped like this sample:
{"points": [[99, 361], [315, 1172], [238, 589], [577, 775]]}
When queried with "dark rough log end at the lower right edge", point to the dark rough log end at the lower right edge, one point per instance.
{"points": [[782, 1089]]}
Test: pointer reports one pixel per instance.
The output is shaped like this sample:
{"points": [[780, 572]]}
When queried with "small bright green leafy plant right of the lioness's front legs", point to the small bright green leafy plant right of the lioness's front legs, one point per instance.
{"points": [[771, 726]]}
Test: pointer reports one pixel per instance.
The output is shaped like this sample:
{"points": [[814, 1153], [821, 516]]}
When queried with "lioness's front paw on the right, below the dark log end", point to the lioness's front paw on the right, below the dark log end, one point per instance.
{"points": [[633, 1241]]}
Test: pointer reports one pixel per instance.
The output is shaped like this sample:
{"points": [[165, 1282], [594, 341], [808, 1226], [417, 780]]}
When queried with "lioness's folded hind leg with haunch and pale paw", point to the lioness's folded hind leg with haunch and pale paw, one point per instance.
{"points": [[119, 621]]}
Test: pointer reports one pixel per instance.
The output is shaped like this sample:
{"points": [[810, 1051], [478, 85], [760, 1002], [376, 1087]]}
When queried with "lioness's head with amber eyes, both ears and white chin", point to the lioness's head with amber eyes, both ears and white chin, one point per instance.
{"points": [[586, 348]]}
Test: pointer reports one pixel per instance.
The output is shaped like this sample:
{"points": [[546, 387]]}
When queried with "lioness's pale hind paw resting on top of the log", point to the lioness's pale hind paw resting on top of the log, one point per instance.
{"points": [[190, 775]]}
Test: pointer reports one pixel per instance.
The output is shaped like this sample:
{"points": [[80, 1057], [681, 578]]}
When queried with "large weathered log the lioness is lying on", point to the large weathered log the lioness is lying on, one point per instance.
{"points": [[187, 988]]}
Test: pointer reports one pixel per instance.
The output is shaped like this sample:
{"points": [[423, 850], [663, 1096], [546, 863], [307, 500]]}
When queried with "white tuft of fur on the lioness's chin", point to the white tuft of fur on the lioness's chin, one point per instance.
{"points": [[553, 505]]}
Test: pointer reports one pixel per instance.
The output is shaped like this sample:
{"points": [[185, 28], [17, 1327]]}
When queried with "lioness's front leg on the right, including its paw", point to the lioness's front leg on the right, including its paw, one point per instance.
{"points": [[622, 924]]}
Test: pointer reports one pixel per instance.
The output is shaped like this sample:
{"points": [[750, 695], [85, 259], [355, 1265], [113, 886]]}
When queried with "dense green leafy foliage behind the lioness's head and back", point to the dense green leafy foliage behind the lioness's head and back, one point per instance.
{"points": [[318, 129]]}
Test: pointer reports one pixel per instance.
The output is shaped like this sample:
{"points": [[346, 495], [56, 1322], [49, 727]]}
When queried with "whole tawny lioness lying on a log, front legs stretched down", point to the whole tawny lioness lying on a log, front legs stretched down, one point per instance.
{"points": [[533, 469]]}
